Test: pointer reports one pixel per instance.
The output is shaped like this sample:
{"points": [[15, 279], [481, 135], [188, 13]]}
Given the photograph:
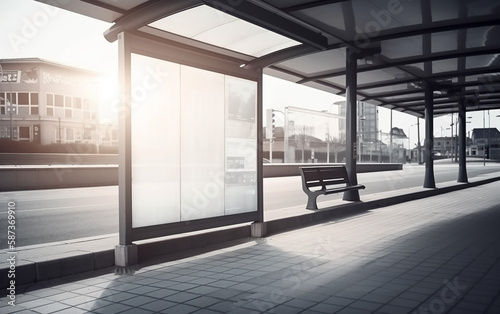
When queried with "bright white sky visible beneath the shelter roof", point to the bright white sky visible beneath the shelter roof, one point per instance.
{"points": [[33, 29]]}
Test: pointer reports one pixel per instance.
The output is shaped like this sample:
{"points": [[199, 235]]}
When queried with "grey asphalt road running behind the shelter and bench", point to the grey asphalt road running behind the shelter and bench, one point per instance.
{"points": [[44, 216]]}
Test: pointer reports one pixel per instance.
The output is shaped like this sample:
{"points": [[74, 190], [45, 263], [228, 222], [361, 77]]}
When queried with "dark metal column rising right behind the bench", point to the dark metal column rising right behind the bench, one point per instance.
{"points": [[351, 136]]}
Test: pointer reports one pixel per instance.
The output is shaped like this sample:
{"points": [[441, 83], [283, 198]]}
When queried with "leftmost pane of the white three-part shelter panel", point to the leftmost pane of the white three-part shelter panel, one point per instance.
{"points": [[155, 127]]}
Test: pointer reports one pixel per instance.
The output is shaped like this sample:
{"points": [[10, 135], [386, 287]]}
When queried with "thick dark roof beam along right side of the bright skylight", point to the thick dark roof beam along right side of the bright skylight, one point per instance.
{"points": [[272, 19]]}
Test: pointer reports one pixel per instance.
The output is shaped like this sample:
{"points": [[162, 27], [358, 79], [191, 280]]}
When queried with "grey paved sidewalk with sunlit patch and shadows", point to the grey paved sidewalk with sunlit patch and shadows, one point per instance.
{"points": [[435, 255]]}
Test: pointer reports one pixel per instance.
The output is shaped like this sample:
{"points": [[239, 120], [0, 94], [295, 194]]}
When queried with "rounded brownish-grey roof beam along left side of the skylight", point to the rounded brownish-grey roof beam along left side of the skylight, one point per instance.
{"points": [[149, 12]]}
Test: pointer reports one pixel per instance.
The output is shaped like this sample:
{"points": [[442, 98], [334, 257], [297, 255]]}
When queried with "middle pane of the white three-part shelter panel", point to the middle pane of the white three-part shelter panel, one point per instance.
{"points": [[202, 144]]}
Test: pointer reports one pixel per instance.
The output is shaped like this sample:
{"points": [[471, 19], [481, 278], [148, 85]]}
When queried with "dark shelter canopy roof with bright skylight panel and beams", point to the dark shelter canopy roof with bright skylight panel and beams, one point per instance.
{"points": [[454, 44]]}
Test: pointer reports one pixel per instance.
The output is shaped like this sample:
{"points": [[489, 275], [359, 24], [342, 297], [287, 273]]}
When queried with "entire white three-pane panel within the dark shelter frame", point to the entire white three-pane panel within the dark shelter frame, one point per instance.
{"points": [[179, 121]]}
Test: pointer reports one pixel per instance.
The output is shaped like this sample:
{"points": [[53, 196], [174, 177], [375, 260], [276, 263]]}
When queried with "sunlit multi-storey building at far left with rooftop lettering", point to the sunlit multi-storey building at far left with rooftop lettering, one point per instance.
{"points": [[44, 102]]}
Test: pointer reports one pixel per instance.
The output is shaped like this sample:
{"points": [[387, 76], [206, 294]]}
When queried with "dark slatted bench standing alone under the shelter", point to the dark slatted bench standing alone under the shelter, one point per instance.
{"points": [[323, 181]]}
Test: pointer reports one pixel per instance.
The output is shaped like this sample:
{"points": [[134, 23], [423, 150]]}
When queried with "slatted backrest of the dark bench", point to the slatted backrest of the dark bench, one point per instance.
{"points": [[324, 176]]}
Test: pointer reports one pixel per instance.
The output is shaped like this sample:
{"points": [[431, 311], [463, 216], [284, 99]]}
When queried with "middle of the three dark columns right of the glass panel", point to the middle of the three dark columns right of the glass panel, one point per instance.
{"points": [[429, 181]]}
